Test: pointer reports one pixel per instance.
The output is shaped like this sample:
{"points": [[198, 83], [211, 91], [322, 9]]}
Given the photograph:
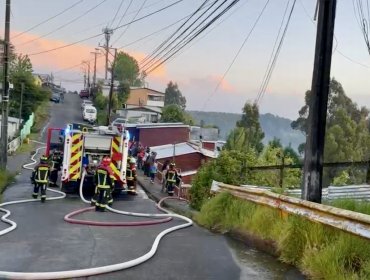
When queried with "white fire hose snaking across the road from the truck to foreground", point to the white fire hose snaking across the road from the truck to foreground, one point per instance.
{"points": [[95, 270]]}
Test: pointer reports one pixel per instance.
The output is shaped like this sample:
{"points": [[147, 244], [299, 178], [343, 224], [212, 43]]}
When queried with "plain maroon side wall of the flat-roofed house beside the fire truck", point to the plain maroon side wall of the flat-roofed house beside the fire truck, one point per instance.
{"points": [[164, 135]]}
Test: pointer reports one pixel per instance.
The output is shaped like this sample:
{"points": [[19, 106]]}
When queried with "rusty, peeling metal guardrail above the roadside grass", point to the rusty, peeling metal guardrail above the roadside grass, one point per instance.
{"points": [[344, 220]]}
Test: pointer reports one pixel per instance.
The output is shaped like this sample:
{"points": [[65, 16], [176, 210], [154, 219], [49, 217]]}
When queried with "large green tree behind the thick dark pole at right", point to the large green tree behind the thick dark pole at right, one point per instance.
{"points": [[347, 131]]}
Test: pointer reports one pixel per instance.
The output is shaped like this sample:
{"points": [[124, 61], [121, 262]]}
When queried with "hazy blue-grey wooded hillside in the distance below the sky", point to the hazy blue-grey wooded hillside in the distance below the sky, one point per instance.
{"points": [[273, 126]]}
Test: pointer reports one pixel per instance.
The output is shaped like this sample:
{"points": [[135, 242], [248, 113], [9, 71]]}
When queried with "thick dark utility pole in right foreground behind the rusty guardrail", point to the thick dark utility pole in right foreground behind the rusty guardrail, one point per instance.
{"points": [[313, 162]]}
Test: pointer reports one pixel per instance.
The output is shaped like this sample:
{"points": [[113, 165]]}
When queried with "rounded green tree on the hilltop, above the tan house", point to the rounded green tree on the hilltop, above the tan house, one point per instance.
{"points": [[127, 70]]}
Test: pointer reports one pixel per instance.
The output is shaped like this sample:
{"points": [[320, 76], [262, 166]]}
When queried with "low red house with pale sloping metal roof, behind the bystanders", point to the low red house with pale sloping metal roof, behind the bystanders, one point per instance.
{"points": [[188, 158]]}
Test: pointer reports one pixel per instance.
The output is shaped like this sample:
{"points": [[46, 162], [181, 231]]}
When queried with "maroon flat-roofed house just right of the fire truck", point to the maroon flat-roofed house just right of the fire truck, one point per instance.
{"points": [[154, 134]]}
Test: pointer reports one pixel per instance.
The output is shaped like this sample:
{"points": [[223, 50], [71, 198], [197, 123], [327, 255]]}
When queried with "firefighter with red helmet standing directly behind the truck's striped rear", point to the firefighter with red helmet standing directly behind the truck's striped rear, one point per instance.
{"points": [[104, 181]]}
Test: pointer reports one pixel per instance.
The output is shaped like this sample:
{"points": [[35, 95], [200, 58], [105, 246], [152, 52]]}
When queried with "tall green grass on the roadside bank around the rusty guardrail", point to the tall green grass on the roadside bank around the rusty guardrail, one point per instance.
{"points": [[321, 252]]}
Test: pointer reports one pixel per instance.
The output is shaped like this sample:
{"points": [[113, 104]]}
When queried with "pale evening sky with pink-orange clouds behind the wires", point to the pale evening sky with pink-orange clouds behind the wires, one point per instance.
{"points": [[199, 68]]}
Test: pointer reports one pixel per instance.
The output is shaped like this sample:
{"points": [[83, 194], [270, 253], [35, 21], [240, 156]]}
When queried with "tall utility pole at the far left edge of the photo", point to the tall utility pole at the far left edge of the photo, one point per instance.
{"points": [[5, 93]]}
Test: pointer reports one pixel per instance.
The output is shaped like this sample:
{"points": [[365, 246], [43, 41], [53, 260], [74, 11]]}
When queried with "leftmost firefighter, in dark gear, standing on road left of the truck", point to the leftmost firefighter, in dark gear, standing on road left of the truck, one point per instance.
{"points": [[40, 177]]}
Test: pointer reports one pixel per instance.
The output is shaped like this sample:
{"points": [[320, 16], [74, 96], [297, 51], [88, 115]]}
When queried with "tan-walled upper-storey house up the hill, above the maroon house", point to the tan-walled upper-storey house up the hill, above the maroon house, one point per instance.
{"points": [[143, 105]]}
